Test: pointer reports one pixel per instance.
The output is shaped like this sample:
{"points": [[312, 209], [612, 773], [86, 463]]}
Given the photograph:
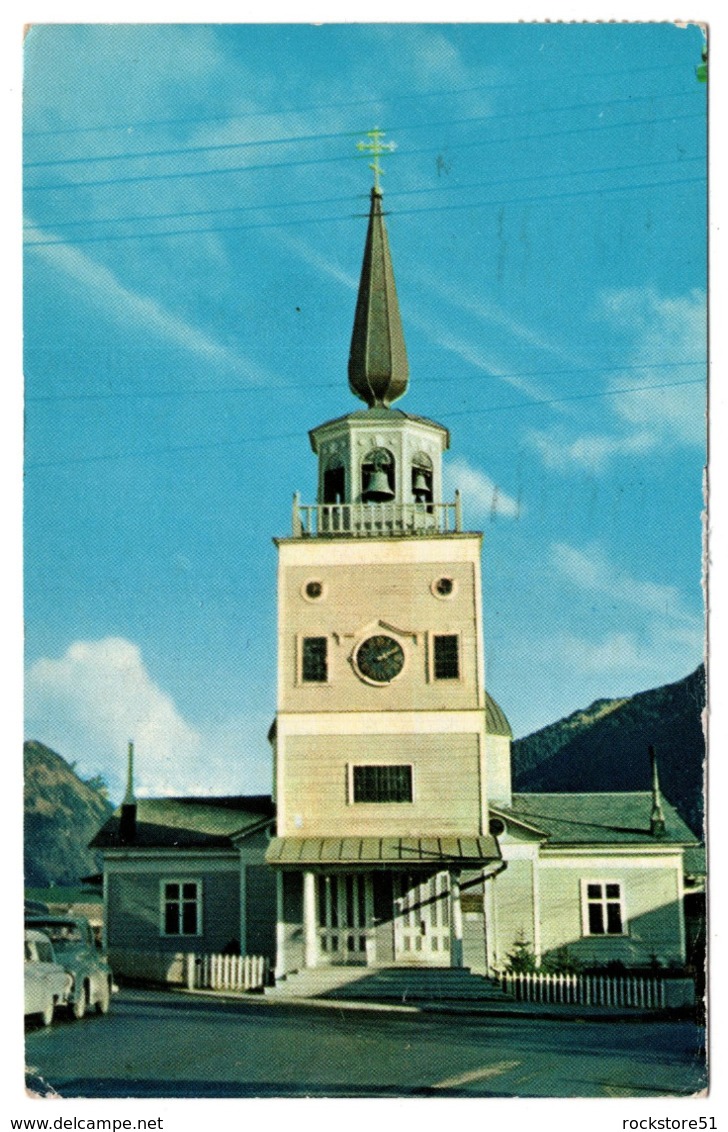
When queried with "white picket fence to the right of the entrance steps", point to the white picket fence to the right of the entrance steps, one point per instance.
{"points": [[637, 991]]}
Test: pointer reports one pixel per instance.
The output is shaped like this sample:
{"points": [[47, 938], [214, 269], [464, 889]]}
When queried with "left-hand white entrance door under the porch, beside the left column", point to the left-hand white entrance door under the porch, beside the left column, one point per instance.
{"points": [[346, 919]]}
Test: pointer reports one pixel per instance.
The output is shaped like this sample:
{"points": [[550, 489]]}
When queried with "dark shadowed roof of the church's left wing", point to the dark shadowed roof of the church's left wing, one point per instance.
{"points": [[190, 824]]}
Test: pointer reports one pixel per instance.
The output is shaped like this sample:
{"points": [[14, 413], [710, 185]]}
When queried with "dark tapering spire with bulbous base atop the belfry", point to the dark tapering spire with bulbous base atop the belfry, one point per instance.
{"points": [[378, 361]]}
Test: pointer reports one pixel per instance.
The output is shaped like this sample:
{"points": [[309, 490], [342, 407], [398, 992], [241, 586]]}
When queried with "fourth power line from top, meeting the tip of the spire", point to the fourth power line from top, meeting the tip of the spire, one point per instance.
{"points": [[395, 195]]}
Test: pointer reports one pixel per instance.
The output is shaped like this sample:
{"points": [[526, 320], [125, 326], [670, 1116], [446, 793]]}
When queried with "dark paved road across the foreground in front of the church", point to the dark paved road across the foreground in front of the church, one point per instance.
{"points": [[168, 1045]]}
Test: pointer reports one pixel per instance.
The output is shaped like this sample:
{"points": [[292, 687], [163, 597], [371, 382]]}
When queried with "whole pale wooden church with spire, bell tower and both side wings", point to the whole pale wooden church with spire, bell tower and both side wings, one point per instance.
{"points": [[393, 837]]}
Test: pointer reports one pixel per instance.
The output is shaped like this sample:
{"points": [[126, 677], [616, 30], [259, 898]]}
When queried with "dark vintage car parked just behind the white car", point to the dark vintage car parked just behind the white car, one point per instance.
{"points": [[76, 950]]}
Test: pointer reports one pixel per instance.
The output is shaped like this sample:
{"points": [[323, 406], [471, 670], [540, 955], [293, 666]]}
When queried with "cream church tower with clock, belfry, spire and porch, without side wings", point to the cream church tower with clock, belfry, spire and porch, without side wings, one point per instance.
{"points": [[381, 750]]}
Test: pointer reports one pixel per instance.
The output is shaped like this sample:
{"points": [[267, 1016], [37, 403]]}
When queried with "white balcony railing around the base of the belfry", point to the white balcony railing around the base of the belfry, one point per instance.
{"points": [[379, 520]]}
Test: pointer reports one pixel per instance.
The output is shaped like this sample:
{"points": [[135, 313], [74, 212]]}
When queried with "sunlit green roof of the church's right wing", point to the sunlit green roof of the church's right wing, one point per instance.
{"points": [[596, 819]]}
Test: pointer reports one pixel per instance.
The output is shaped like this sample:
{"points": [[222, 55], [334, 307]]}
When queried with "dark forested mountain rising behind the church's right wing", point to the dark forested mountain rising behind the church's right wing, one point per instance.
{"points": [[605, 748]]}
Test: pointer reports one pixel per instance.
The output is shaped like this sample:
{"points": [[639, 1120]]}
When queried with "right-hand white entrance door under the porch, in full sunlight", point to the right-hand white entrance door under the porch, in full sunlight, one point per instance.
{"points": [[422, 920]]}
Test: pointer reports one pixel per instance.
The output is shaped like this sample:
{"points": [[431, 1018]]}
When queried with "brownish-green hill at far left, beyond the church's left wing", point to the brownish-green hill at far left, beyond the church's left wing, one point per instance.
{"points": [[63, 813]]}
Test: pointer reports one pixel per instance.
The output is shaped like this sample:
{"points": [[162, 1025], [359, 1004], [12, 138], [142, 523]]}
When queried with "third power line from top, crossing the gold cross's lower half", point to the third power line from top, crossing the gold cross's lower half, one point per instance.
{"points": [[145, 178]]}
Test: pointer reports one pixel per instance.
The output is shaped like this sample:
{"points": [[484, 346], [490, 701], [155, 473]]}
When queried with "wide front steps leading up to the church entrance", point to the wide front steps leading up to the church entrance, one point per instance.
{"points": [[402, 985]]}
